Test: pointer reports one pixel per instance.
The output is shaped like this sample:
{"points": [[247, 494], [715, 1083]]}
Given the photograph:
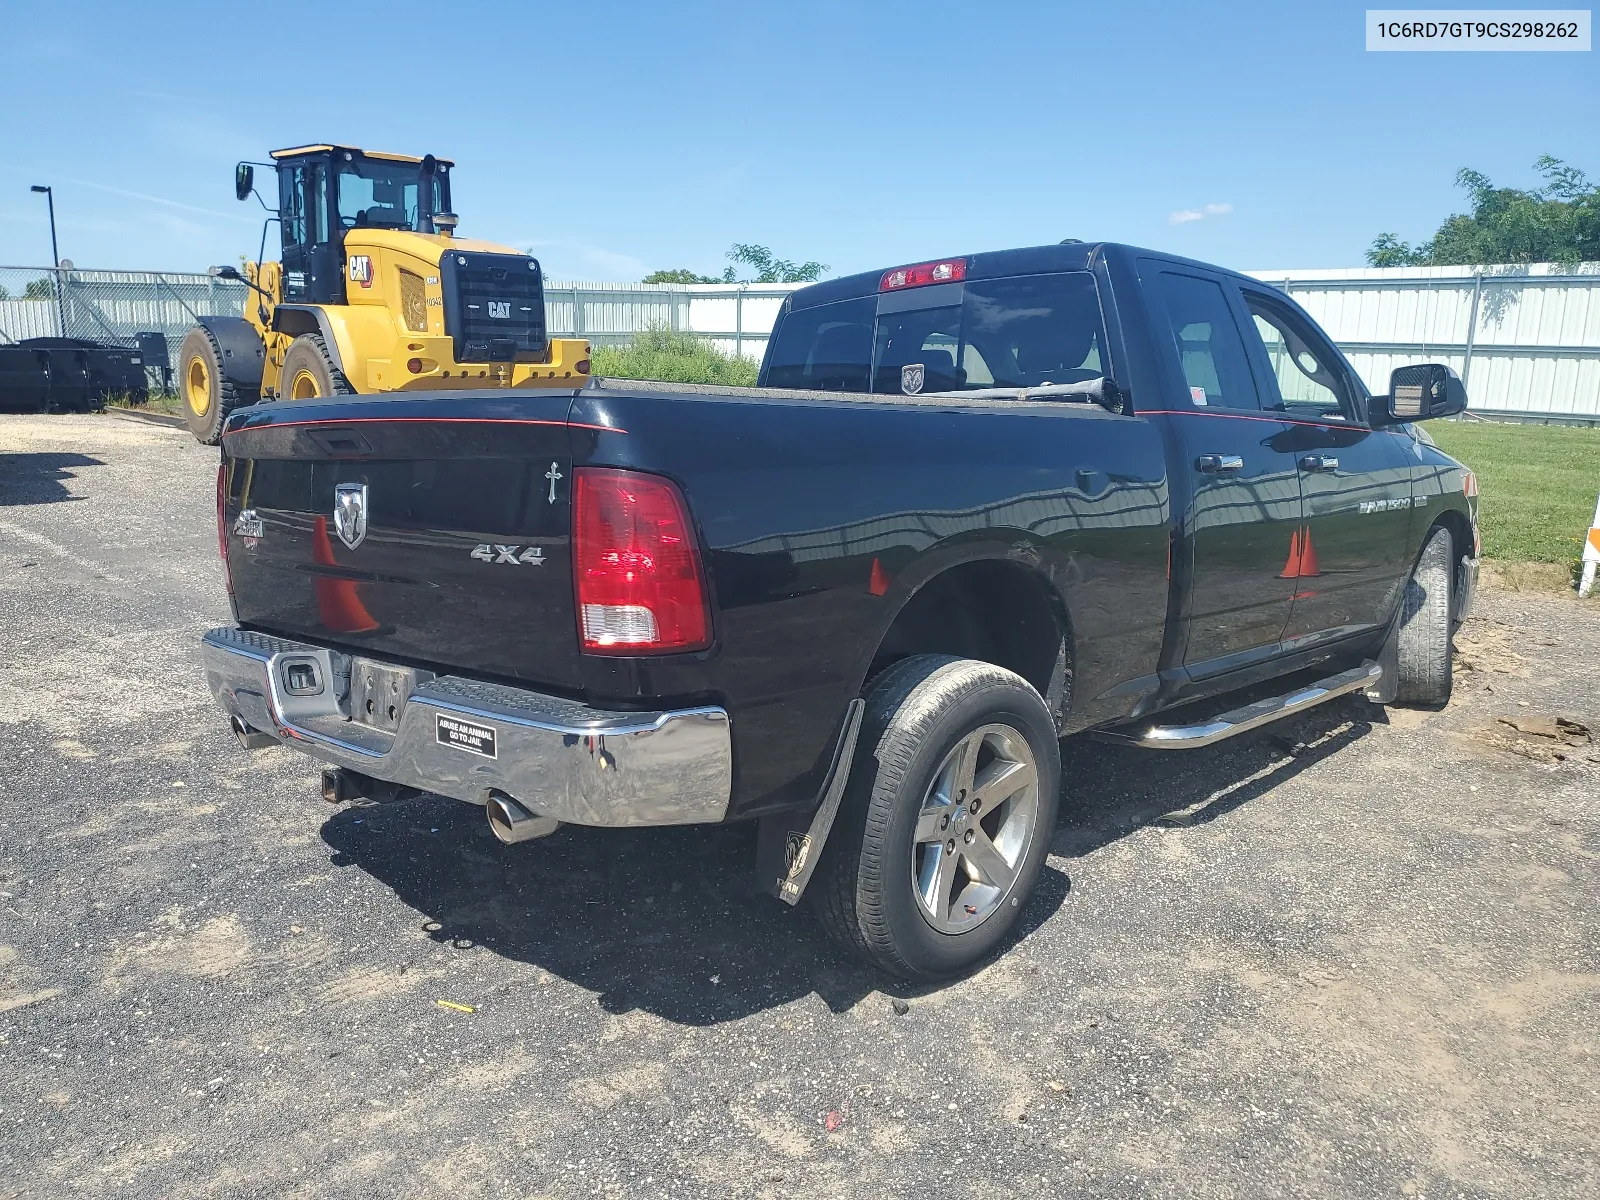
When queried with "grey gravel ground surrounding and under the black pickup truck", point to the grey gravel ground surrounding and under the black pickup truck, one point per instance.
{"points": [[1350, 958]]}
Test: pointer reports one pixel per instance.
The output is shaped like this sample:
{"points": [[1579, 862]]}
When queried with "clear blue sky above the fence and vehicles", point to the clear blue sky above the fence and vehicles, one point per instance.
{"points": [[626, 137]]}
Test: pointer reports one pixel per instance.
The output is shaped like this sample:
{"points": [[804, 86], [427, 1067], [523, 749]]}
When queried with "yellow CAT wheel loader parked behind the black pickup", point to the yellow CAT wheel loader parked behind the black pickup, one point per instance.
{"points": [[374, 294]]}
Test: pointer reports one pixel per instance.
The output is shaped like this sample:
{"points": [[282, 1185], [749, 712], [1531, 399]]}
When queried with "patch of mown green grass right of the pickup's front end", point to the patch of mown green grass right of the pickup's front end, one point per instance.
{"points": [[1537, 486]]}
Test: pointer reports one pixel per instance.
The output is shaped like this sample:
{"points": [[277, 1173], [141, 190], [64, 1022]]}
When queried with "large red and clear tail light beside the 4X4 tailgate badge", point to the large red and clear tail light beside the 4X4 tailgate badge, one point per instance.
{"points": [[634, 566]]}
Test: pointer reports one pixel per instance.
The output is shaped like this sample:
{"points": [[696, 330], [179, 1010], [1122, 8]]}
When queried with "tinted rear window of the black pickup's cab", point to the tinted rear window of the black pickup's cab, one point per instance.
{"points": [[1014, 332]]}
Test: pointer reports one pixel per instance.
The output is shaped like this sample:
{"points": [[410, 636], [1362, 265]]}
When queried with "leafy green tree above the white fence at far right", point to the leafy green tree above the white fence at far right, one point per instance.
{"points": [[1558, 223]]}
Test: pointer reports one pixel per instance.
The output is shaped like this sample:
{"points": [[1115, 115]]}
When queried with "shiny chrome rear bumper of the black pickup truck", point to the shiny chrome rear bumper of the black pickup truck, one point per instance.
{"points": [[465, 740]]}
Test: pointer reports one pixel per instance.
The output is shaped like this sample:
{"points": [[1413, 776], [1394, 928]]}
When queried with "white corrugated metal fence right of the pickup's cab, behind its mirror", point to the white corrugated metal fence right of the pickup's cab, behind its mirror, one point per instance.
{"points": [[1527, 340]]}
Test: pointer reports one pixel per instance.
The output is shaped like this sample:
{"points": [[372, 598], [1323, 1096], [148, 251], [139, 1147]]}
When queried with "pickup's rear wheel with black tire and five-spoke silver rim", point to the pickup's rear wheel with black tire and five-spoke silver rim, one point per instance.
{"points": [[881, 890]]}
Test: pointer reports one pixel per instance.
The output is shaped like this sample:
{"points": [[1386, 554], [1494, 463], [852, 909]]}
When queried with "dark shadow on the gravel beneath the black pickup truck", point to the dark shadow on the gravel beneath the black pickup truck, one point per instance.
{"points": [[647, 919]]}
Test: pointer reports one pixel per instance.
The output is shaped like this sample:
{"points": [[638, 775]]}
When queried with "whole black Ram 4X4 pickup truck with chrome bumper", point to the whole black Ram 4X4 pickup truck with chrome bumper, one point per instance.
{"points": [[975, 506]]}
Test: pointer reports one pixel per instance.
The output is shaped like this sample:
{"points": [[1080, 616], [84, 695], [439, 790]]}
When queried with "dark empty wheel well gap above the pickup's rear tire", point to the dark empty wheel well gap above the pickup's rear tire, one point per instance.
{"points": [[994, 612]]}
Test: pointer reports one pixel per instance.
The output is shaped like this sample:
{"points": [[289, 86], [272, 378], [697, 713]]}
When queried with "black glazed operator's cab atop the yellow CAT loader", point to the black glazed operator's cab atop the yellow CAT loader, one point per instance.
{"points": [[327, 191]]}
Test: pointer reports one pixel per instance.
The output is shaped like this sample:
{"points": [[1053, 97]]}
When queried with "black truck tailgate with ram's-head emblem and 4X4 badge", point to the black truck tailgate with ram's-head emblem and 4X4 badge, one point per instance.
{"points": [[412, 529]]}
